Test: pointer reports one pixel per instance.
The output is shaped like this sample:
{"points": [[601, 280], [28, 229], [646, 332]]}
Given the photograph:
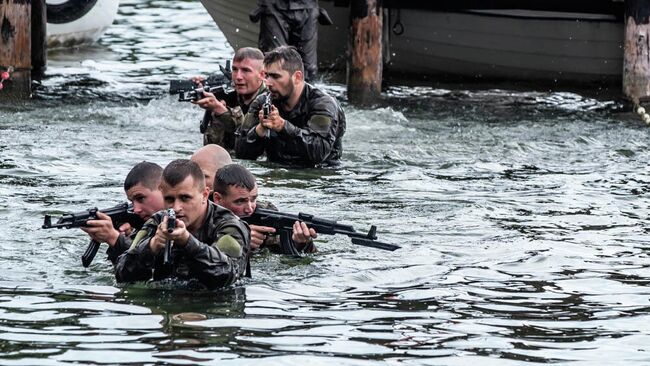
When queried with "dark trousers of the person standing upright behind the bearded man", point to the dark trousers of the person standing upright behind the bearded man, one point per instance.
{"points": [[298, 28]]}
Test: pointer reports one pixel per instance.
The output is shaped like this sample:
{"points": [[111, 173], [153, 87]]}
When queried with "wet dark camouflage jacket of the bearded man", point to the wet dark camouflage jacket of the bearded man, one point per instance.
{"points": [[311, 136]]}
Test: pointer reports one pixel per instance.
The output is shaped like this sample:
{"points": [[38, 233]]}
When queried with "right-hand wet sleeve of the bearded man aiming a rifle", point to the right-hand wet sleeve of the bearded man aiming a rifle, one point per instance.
{"points": [[316, 140]]}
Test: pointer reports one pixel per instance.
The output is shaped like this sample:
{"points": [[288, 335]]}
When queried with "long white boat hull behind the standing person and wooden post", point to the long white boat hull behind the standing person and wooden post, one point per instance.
{"points": [[479, 44]]}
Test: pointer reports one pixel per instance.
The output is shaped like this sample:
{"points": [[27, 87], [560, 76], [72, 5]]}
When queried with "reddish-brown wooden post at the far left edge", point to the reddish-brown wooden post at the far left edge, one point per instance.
{"points": [[15, 48]]}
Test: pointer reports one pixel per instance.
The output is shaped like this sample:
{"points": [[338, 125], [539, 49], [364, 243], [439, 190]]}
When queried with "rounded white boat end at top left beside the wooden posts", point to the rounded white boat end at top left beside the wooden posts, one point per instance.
{"points": [[72, 23]]}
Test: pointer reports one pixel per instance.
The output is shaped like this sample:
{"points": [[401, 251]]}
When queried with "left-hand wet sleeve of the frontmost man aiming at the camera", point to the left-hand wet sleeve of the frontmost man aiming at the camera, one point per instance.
{"points": [[137, 263]]}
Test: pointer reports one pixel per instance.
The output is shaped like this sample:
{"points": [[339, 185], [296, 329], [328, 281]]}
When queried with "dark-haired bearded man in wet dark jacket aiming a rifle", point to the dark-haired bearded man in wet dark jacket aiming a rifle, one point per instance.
{"points": [[304, 126]]}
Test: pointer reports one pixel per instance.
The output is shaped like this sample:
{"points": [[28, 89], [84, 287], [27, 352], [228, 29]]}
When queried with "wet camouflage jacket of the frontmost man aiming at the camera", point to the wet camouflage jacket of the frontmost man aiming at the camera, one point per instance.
{"points": [[200, 259]]}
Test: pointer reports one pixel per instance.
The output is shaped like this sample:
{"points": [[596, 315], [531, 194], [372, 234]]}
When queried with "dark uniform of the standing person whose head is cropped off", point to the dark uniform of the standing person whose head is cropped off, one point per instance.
{"points": [[294, 23]]}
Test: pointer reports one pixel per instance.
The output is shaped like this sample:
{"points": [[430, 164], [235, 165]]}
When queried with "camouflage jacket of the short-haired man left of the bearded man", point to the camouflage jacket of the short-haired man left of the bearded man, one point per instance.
{"points": [[221, 129]]}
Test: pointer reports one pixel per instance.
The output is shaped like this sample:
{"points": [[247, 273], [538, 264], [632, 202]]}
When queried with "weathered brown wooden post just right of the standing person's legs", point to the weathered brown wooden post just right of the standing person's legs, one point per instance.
{"points": [[364, 71]]}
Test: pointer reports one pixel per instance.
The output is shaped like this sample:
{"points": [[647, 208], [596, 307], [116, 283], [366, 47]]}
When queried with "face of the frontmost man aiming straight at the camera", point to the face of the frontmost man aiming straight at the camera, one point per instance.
{"points": [[188, 199]]}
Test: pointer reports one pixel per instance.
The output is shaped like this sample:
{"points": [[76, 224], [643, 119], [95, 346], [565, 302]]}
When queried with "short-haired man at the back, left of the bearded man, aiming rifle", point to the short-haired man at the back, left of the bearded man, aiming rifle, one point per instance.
{"points": [[222, 119]]}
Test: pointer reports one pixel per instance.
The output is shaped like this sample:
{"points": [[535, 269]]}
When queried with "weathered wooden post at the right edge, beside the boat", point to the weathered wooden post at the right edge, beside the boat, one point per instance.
{"points": [[636, 50]]}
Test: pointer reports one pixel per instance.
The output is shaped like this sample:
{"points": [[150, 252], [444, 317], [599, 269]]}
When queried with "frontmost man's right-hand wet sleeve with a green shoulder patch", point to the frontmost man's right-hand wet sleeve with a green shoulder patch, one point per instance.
{"points": [[224, 261]]}
